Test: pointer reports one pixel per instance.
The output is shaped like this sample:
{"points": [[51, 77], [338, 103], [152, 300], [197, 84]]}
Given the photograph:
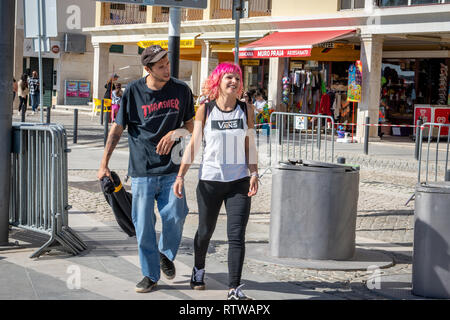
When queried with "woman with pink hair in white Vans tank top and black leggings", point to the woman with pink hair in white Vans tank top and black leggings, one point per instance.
{"points": [[228, 172]]}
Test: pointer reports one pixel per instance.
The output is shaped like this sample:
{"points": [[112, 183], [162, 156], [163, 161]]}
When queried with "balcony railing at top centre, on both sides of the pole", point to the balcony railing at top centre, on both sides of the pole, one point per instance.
{"points": [[256, 8]]}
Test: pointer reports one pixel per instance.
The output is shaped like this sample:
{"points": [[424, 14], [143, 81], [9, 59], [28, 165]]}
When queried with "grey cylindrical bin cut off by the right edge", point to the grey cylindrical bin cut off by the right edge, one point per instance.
{"points": [[431, 247]]}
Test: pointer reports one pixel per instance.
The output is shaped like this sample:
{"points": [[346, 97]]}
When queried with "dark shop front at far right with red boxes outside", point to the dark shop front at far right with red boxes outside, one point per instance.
{"points": [[413, 89]]}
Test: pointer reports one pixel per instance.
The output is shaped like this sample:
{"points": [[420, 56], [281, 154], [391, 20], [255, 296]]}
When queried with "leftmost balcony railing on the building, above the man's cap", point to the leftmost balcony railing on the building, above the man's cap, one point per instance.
{"points": [[119, 13]]}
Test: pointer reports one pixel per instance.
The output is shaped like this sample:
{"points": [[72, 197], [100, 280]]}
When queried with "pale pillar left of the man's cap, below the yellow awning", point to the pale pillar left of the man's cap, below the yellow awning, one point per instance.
{"points": [[101, 66]]}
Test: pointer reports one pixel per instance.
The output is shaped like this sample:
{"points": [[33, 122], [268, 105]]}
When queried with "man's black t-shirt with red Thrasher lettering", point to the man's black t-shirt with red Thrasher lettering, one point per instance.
{"points": [[150, 115]]}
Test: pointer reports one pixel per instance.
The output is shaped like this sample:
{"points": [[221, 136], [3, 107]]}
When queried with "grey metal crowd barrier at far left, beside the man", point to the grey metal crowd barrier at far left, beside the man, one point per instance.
{"points": [[39, 185]]}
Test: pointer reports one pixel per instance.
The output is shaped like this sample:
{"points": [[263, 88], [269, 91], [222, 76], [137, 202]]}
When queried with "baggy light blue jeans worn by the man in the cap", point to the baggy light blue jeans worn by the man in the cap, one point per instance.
{"points": [[173, 213]]}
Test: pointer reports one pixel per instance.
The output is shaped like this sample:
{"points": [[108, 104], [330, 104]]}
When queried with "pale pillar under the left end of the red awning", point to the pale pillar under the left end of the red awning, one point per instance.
{"points": [[276, 71]]}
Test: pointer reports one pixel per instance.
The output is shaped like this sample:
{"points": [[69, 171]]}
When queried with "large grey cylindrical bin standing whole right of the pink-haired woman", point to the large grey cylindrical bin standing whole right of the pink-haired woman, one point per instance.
{"points": [[313, 211]]}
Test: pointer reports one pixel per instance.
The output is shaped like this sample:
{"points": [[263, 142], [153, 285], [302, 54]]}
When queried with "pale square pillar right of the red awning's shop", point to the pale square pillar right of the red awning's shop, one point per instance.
{"points": [[371, 59]]}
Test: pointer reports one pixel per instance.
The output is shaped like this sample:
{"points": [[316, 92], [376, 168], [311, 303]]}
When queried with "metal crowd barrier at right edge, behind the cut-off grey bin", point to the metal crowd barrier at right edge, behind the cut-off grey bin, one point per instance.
{"points": [[431, 129]]}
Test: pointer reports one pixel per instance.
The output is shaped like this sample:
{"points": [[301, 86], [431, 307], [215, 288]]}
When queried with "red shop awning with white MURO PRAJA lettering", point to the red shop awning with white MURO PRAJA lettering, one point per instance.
{"points": [[288, 44]]}
